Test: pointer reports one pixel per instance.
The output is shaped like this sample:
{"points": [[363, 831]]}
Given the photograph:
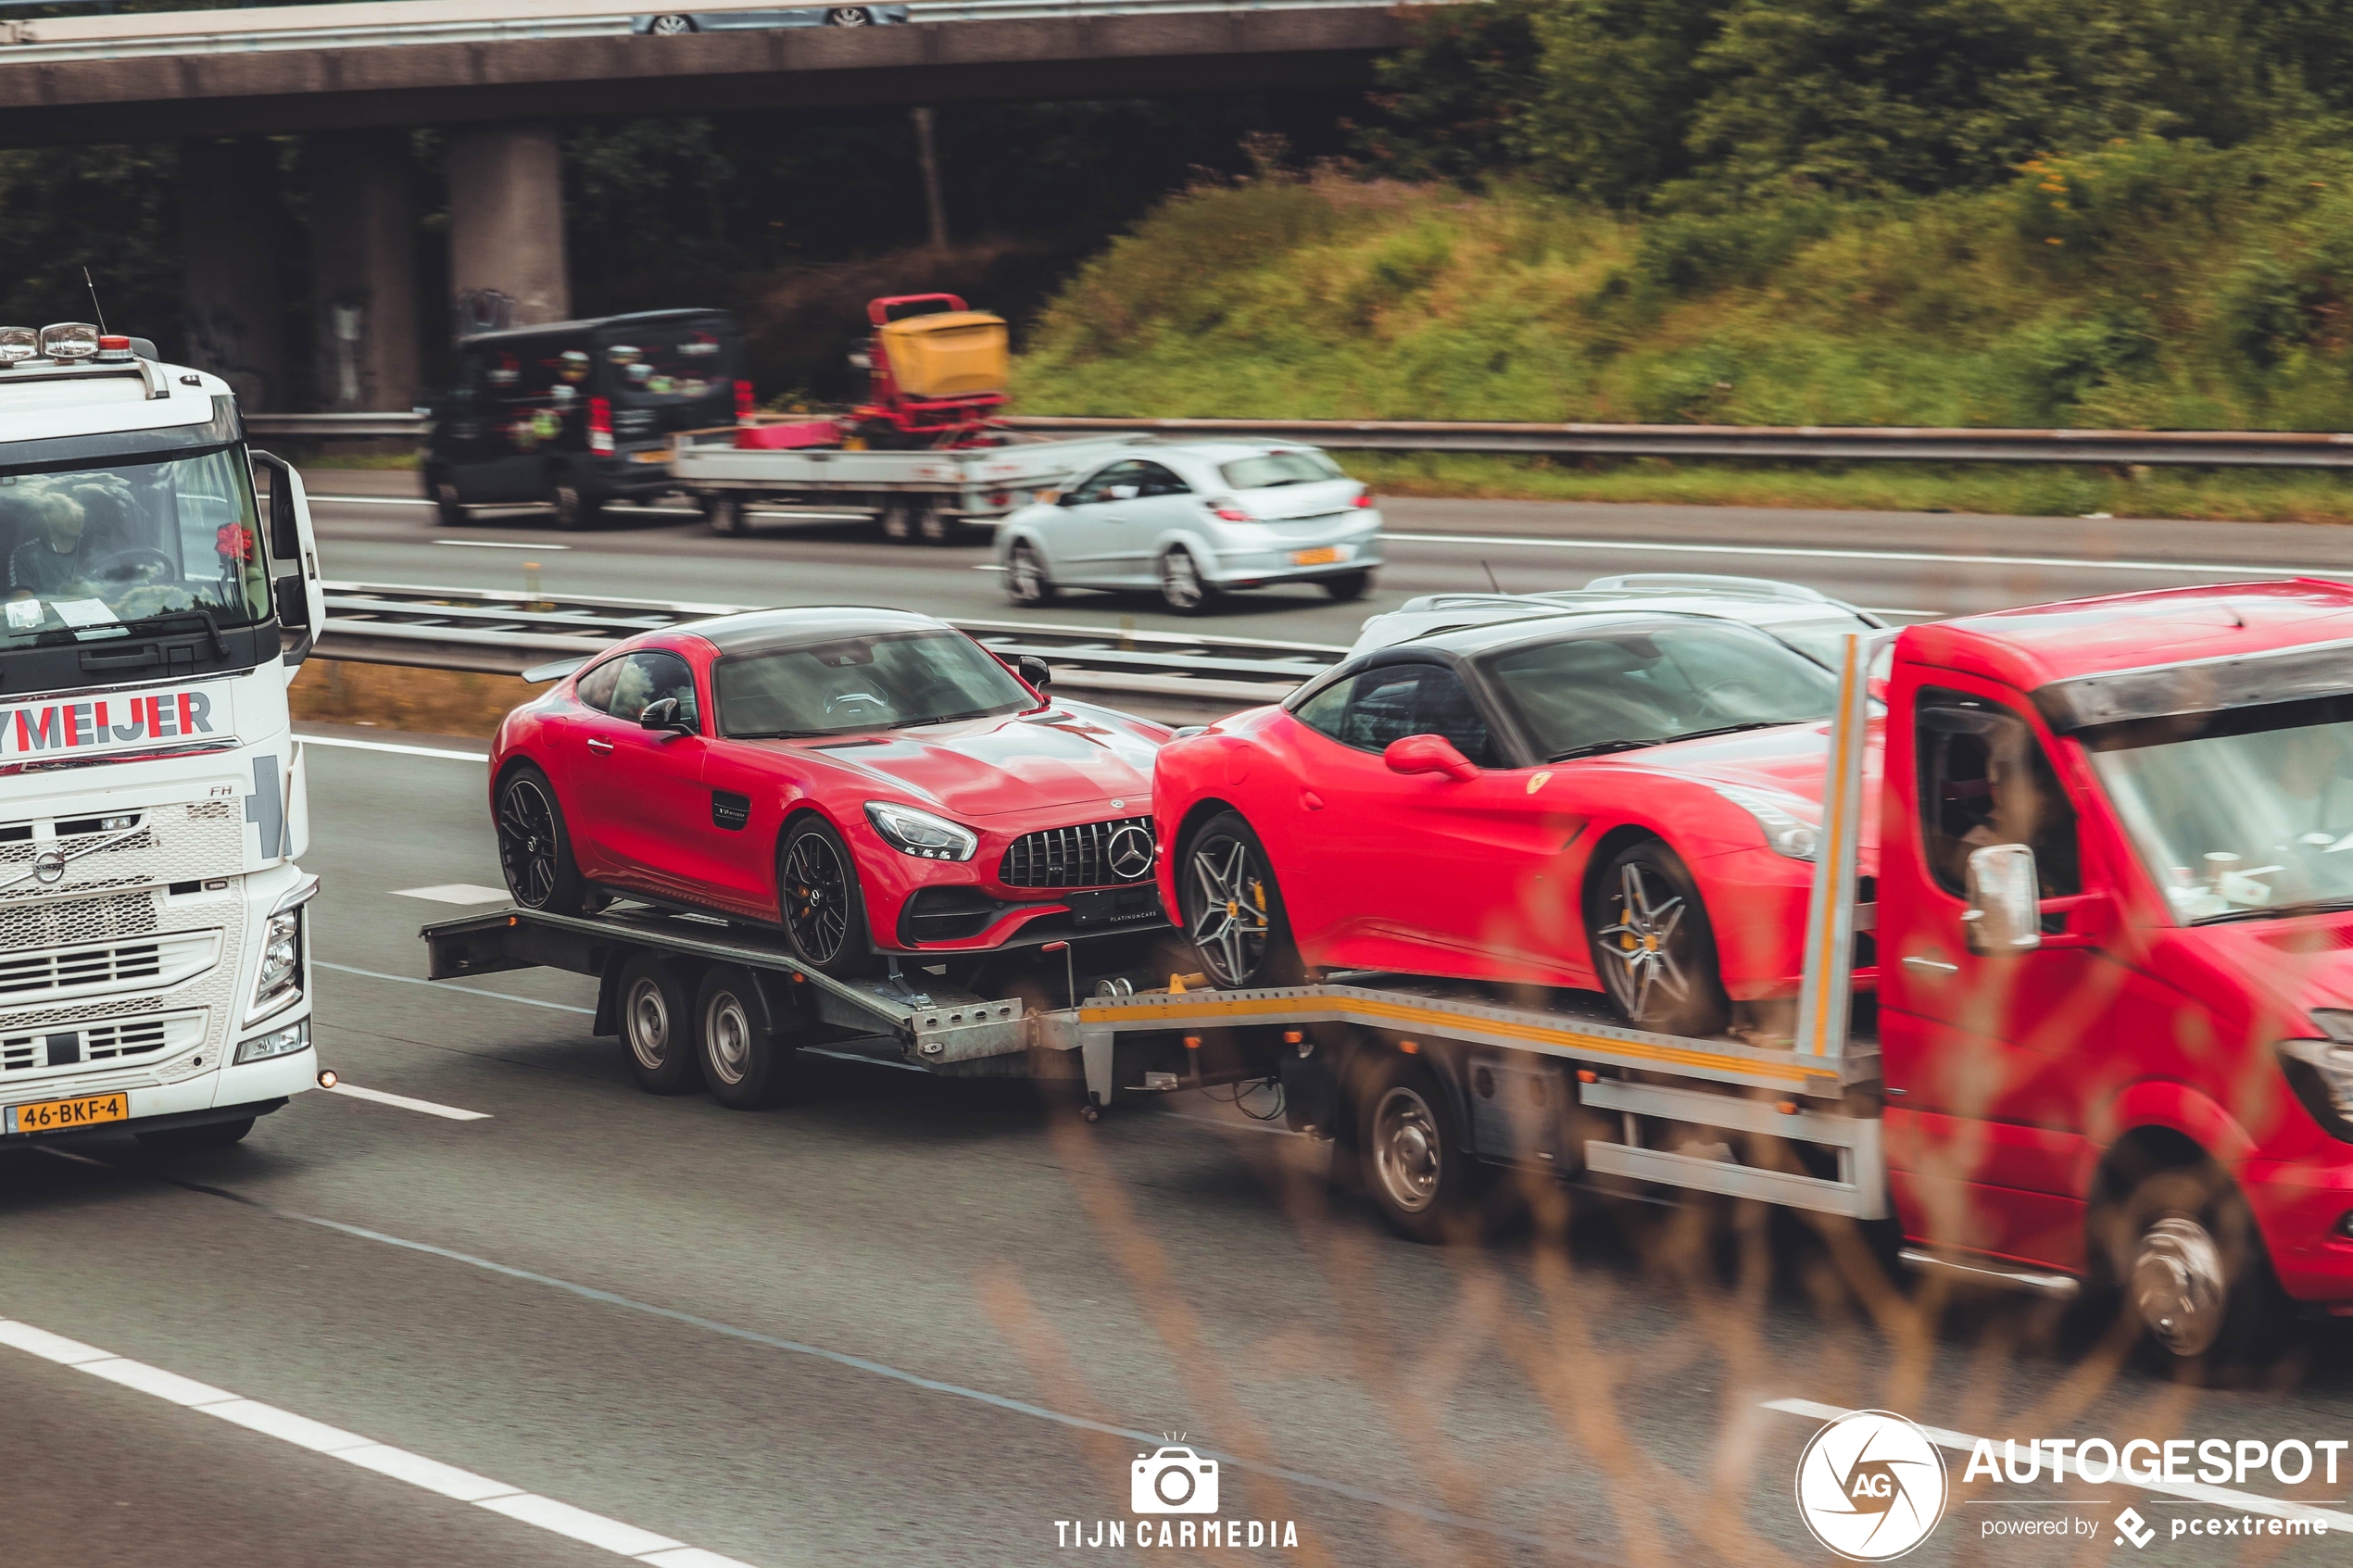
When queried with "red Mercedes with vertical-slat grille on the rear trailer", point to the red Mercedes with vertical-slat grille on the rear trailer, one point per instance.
{"points": [[872, 782]]}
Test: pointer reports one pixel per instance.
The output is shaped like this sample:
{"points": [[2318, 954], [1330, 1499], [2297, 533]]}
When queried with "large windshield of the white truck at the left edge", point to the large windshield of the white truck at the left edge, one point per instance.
{"points": [[95, 551]]}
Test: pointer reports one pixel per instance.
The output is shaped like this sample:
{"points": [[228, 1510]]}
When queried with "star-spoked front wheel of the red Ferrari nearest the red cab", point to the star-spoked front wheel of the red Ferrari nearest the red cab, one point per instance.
{"points": [[1653, 946]]}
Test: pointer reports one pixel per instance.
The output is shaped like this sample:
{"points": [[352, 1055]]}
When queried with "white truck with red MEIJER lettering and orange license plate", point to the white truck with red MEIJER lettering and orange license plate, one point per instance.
{"points": [[154, 949]]}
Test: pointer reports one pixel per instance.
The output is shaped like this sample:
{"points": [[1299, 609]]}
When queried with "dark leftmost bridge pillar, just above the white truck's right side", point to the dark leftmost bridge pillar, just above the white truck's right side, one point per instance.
{"points": [[229, 234]]}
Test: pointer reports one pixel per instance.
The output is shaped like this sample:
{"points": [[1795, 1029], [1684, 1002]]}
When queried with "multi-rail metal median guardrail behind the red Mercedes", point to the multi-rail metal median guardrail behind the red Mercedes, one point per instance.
{"points": [[505, 634]]}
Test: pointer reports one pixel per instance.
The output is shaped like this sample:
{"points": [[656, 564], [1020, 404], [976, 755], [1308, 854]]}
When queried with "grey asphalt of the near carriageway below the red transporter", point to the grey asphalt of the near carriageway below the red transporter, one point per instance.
{"points": [[921, 1322]]}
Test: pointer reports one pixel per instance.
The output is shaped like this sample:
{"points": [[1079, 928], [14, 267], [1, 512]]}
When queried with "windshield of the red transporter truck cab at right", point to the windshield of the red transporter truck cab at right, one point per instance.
{"points": [[2241, 812]]}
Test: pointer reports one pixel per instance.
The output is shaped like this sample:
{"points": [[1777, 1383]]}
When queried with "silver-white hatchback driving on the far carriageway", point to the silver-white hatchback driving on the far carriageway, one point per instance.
{"points": [[1197, 523]]}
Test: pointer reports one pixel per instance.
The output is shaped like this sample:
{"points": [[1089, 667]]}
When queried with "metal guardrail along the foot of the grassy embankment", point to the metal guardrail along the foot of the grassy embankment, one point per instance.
{"points": [[1785, 443]]}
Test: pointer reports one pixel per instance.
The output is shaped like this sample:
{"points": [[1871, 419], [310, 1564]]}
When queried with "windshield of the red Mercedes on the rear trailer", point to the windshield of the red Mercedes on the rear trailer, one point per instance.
{"points": [[888, 681]]}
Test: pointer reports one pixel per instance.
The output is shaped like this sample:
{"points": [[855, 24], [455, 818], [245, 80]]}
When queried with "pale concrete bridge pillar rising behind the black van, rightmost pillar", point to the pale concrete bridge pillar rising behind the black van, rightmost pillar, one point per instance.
{"points": [[507, 227]]}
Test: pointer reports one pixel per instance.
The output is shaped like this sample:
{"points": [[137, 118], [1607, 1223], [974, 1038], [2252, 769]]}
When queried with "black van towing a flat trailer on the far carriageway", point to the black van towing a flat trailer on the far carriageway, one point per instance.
{"points": [[580, 413]]}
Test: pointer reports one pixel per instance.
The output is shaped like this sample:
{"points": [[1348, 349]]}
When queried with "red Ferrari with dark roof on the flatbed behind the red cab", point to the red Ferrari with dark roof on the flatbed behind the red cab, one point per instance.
{"points": [[1608, 803]]}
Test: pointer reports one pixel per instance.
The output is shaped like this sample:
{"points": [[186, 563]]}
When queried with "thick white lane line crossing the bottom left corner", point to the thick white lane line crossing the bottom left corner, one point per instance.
{"points": [[427, 1475]]}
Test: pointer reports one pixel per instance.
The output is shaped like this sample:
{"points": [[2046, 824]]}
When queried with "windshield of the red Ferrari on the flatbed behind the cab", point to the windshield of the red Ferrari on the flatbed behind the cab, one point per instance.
{"points": [[1646, 685]]}
